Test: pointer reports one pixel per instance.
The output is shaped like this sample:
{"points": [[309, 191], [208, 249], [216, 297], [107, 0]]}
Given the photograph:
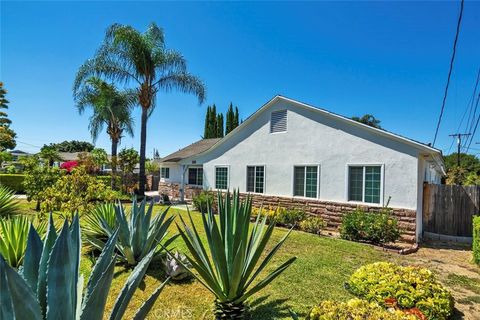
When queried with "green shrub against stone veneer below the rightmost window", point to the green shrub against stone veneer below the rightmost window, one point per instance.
{"points": [[377, 228]]}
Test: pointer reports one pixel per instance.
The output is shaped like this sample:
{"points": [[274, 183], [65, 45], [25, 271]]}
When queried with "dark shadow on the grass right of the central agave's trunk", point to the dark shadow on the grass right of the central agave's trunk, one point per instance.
{"points": [[260, 308]]}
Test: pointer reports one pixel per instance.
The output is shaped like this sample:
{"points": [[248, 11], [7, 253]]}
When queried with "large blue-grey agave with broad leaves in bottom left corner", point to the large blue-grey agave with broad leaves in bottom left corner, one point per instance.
{"points": [[50, 285]]}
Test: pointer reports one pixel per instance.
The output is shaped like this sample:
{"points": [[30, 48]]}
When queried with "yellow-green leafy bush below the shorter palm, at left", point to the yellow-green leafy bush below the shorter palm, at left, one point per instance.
{"points": [[76, 191]]}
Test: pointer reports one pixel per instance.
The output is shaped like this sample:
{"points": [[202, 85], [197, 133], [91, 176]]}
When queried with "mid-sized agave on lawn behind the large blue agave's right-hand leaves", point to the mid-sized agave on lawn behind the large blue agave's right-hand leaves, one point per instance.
{"points": [[138, 233]]}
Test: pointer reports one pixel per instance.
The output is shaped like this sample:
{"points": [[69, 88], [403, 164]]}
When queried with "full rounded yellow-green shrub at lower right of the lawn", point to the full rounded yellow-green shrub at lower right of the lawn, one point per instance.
{"points": [[405, 287]]}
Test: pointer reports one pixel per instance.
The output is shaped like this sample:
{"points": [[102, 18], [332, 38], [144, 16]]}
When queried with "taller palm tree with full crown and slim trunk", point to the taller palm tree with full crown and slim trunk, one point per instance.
{"points": [[129, 56]]}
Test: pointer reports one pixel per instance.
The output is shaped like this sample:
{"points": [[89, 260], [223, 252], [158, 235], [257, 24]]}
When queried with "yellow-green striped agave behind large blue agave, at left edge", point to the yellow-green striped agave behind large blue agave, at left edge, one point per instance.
{"points": [[13, 237]]}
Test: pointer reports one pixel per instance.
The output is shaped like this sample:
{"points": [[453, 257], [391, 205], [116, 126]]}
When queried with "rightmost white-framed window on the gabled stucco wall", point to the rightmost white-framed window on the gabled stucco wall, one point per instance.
{"points": [[365, 183]]}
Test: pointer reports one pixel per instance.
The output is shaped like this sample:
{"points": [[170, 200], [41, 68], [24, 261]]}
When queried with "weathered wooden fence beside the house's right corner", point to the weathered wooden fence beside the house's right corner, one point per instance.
{"points": [[448, 209]]}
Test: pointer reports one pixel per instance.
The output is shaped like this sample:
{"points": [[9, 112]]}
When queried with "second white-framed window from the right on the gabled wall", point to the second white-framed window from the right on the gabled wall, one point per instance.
{"points": [[305, 181]]}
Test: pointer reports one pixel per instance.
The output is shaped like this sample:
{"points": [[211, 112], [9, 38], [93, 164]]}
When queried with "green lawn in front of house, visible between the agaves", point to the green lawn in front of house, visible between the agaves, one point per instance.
{"points": [[323, 265]]}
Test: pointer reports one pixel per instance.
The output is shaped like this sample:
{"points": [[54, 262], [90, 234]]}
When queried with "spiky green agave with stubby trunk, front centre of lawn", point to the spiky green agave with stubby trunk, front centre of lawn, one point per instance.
{"points": [[229, 263]]}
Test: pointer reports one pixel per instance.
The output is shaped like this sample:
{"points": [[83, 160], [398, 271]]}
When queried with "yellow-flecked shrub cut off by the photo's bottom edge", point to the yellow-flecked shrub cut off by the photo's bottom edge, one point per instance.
{"points": [[355, 309]]}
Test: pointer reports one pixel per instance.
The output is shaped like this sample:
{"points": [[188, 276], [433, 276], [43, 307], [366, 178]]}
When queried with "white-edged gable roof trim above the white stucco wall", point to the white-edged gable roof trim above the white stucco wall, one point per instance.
{"points": [[418, 145]]}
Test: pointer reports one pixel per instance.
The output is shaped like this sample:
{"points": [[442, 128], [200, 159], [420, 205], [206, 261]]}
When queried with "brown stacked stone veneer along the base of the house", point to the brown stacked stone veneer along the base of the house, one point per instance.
{"points": [[331, 212]]}
